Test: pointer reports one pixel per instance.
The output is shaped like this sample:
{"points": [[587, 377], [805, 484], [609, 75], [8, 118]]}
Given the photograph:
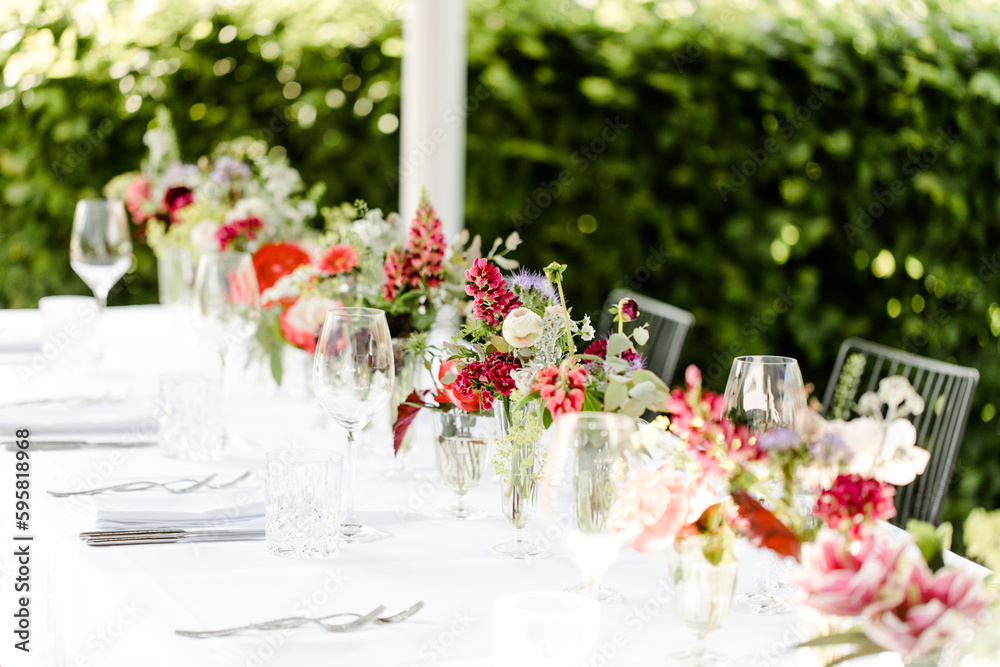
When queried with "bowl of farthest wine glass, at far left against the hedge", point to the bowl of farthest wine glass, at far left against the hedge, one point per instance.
{"points": [[100, 248]]}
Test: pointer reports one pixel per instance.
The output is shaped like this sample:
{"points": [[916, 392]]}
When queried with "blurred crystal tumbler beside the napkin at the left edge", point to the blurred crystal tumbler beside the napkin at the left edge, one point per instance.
{"points": [[191, 425]]}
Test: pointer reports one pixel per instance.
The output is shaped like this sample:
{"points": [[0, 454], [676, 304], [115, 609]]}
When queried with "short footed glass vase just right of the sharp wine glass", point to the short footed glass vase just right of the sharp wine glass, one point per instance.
{"points": [[461, 452]]}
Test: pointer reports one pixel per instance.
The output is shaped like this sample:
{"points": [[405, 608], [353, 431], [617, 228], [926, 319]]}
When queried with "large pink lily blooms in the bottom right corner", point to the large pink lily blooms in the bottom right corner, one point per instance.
{"points": [[905, 598]]}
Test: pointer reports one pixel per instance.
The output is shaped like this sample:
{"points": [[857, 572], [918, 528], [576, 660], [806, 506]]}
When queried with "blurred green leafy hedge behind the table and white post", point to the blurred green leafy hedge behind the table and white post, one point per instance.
{"points": [[793, 173]]}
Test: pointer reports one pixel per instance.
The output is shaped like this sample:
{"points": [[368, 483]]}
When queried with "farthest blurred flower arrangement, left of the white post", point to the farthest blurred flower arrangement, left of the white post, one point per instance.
{"points": [[234, 199]]}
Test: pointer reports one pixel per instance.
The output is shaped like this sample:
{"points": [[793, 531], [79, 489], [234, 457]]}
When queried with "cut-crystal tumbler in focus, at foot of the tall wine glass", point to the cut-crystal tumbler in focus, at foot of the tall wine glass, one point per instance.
{"points": [[302, 502]]}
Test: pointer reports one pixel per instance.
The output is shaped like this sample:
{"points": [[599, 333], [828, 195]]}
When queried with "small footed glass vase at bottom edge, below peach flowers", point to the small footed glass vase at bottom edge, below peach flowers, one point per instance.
{"points": [[702, 598]]}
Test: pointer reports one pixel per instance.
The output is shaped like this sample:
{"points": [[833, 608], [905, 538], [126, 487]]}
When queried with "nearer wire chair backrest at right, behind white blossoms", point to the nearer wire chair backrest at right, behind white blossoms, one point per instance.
{"points": [[947, 391]]}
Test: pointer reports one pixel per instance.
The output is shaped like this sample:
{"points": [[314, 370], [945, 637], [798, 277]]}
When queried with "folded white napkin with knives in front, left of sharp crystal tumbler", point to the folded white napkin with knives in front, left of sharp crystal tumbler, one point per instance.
{"points": [[222, 509]]}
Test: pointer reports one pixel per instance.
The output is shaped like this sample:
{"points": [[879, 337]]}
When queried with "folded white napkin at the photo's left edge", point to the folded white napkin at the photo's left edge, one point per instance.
{"points": [[133, 417]]}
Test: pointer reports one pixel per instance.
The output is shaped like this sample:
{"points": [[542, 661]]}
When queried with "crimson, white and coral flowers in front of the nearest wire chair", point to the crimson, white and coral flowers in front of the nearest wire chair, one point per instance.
{"points": [[849, 469]]}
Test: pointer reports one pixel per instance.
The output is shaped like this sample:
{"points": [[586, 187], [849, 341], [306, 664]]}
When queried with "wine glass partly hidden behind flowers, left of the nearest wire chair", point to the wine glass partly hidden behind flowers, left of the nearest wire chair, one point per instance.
{"points": [[762, 393]]}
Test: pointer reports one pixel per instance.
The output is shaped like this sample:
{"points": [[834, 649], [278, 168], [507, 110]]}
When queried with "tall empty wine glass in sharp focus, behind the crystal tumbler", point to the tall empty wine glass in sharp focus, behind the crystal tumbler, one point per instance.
{"points": [[353, 373]]}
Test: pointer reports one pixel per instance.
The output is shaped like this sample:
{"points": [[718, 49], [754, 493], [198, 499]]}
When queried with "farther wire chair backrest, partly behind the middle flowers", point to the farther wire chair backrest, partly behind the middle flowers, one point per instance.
{"points": [[668, 327]]}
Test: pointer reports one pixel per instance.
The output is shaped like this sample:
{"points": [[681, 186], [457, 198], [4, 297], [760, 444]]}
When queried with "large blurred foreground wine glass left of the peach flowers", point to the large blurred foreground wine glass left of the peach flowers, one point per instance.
{"points": [[588, 465]]}
